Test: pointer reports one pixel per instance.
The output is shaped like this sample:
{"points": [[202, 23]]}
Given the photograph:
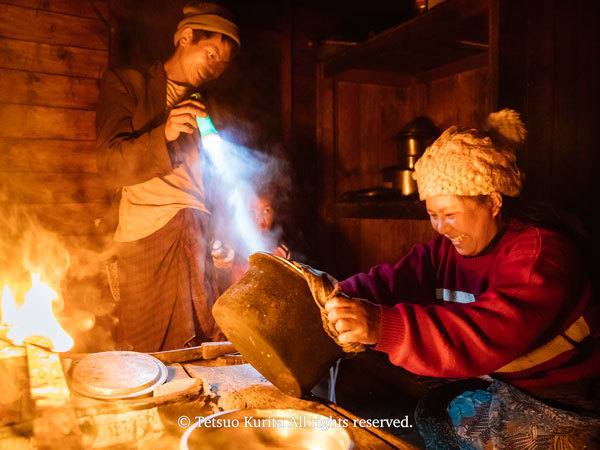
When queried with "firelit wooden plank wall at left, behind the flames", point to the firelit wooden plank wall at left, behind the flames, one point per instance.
{"points": [[52, 54]]}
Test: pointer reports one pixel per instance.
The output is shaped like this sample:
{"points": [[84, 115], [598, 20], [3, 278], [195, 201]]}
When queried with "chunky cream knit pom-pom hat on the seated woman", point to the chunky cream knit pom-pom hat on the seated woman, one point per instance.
{"points": [[469, 162]]}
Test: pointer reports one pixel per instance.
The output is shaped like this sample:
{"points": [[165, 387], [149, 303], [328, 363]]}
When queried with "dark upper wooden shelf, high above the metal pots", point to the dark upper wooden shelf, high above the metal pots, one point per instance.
{"points": [[455, 32]]}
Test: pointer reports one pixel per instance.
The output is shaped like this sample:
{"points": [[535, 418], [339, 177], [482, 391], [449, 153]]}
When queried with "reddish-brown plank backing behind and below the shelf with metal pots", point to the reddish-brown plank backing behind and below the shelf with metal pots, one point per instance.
{"points": [[356, 124]]}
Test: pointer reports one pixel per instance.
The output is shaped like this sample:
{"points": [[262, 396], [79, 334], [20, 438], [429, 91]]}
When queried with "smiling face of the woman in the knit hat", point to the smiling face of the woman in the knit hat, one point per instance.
{"points": [[469, 222]]}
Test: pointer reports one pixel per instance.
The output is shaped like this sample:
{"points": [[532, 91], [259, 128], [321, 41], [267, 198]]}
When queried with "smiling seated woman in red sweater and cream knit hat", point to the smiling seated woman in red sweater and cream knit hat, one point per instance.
{"points": [[494, 294]]}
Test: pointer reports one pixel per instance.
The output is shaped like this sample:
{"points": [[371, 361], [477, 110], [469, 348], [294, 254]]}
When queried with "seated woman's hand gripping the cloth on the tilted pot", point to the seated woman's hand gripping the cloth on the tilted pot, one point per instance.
{"points": [[356, 319]]}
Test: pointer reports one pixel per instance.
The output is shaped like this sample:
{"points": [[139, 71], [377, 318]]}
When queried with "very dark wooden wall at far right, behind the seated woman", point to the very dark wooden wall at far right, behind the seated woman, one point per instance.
{"points": [[549, 67]]}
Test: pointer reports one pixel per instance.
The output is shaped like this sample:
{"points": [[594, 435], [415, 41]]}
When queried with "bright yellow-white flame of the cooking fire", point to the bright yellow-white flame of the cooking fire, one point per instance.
{"points": [[35, 317]]}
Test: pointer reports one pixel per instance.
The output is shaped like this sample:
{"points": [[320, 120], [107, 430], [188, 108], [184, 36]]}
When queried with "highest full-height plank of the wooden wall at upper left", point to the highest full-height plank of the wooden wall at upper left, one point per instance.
{"points": [[52, 28]]}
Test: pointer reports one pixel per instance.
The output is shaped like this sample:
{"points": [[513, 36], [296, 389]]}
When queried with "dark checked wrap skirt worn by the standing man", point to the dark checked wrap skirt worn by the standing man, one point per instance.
{"points": [[167, 287]]}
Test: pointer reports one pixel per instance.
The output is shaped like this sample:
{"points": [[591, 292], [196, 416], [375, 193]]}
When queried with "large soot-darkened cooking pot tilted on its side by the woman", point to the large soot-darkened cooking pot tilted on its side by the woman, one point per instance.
{"points": [[271, 318]]}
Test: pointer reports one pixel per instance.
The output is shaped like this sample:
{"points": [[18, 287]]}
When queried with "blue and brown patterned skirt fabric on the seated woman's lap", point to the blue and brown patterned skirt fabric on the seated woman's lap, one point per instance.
{"points": [[502, 417]]}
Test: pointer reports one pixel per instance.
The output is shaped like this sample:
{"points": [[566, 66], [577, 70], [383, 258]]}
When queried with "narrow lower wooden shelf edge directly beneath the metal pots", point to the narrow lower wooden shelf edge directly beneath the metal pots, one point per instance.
{"points": [[411, 208]]}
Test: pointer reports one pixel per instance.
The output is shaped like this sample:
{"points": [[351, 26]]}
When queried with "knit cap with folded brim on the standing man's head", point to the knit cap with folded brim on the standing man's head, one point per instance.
{"points": [[207, 16]]}
